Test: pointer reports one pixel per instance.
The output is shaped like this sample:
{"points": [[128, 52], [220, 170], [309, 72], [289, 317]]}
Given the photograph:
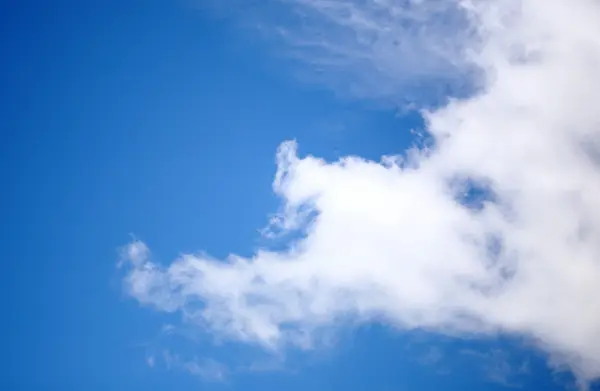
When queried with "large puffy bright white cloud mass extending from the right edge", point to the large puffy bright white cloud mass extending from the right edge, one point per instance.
{"points": [[496, 229]]}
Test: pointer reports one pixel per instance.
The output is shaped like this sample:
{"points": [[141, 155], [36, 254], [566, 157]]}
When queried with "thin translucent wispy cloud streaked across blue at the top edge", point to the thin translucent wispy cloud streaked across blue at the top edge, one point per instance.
{"points": [[399, 52]]}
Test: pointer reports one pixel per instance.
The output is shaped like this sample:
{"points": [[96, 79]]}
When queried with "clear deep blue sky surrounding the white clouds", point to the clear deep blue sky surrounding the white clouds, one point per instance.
{"points": [[161, 120]]}
